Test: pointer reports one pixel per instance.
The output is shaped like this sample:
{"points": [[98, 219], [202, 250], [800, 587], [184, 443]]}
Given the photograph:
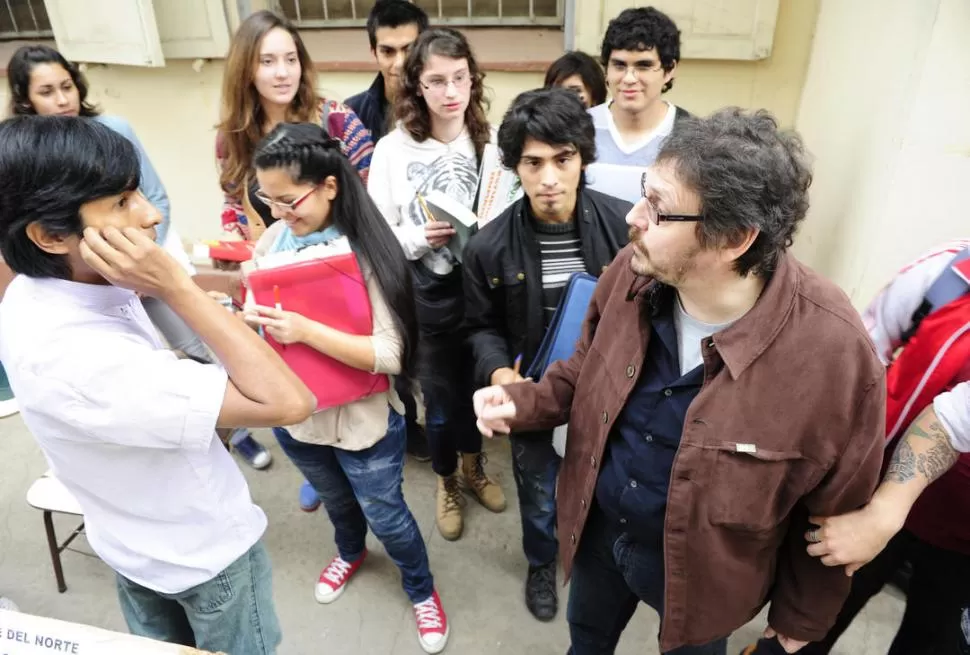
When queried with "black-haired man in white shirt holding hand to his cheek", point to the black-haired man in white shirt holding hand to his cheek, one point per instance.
{"points": [[126, 426]]}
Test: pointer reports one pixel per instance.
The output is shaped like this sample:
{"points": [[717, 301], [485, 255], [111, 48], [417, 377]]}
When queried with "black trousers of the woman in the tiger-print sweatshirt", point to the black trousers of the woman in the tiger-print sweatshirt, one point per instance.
{"points": [[446, 382]]}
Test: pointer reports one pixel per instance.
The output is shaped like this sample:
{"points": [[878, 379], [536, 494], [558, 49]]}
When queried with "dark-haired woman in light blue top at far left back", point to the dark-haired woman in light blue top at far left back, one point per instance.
{"points": [[43, 82]]}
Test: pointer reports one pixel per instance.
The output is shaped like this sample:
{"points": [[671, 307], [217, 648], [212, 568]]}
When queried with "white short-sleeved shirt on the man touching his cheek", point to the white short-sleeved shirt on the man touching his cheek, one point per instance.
{"points": [[129, 429]]}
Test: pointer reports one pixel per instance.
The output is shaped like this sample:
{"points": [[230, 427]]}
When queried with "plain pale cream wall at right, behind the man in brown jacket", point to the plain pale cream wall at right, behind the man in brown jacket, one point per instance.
{"points": [[886, 118]]}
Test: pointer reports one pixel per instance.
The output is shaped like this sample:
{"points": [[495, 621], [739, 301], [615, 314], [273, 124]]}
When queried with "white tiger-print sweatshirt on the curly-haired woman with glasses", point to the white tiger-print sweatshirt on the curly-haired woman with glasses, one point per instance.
{"points": [[401, 168]]}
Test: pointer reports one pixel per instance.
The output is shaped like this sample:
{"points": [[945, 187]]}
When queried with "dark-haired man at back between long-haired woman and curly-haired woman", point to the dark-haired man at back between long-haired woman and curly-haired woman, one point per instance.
{"points": [[392, 27]]}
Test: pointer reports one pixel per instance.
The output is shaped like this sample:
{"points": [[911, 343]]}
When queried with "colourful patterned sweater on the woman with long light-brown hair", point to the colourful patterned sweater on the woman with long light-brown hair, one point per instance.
{"points": [[341, 123]]}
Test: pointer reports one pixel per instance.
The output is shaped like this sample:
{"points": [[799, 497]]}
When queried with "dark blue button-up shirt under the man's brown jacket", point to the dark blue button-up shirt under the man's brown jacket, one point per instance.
{"points": [[633, 481]]}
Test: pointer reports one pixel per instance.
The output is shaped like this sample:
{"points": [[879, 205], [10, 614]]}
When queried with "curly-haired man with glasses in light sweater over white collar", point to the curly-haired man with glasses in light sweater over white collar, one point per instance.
{"points": [[641, 49]]}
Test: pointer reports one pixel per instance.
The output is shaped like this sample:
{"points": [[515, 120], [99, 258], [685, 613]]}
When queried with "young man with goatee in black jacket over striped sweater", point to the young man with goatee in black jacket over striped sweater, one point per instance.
{"points": [[516, 268]]}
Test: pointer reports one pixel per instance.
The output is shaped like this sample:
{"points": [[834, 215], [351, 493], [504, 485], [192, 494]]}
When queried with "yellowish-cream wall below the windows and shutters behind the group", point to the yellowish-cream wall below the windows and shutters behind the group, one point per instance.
{"points": [[173, 109]]}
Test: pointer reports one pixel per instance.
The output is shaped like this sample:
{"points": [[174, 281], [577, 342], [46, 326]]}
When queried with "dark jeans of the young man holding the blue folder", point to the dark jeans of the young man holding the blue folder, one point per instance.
{"points": [[536, 467]]}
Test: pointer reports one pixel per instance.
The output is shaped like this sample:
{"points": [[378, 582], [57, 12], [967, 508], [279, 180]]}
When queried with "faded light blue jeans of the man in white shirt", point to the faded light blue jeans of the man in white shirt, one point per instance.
{"points": [[232, 613]]}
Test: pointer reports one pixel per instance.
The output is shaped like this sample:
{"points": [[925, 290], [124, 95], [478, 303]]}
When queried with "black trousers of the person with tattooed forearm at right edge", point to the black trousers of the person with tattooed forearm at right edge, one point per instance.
{"points": [[936, 604]]}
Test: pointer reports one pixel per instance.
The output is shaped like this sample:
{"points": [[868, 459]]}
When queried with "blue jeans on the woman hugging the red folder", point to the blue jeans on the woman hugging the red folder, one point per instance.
{"points": [[361, 489]]}
